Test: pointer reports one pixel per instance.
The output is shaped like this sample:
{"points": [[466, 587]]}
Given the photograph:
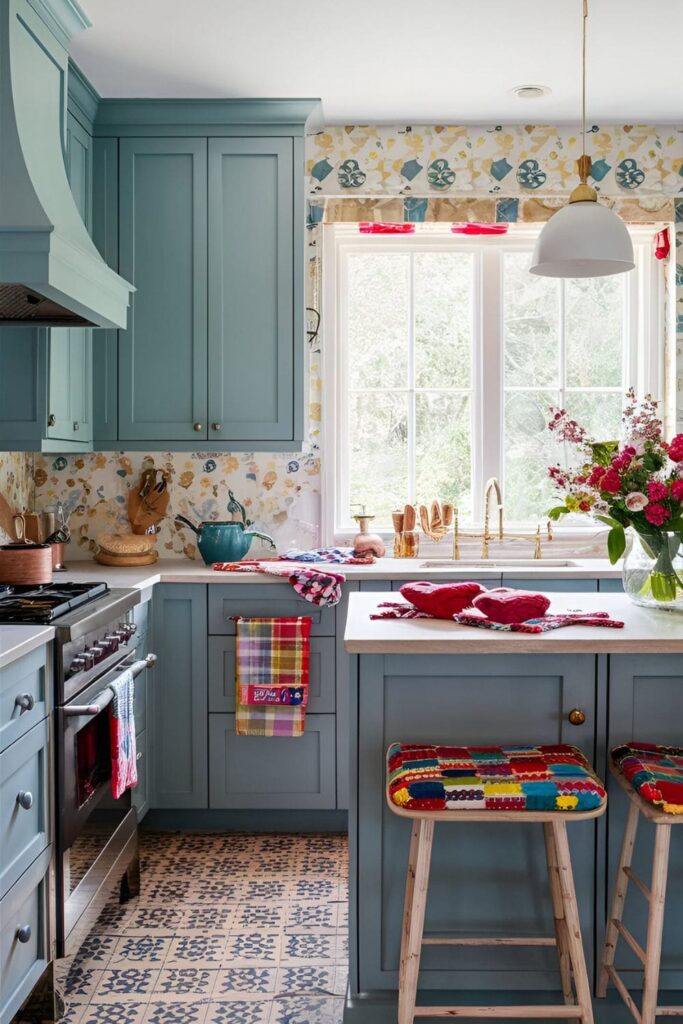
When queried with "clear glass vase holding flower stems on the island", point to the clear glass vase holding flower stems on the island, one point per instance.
{"points": [[654, 571]]}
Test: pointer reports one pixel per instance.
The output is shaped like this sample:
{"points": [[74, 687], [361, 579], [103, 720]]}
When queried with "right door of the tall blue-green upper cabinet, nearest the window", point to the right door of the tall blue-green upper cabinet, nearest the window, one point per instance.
{"points": [[254, 275]]}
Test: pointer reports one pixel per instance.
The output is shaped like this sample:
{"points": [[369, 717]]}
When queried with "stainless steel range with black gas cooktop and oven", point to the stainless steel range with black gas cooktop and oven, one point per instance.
{"points": [[97, 836]]}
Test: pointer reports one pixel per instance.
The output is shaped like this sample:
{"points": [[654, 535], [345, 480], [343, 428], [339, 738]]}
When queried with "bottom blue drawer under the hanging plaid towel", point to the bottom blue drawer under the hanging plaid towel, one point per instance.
{"points": [[277, 773]]}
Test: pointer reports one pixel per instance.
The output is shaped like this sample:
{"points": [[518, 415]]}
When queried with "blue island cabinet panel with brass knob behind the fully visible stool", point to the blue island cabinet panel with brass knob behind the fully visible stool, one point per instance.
{"points": [[487, 879]]}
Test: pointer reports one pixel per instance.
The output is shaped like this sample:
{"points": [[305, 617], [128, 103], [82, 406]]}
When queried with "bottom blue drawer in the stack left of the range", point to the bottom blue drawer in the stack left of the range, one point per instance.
{"points": [[24, 910]]}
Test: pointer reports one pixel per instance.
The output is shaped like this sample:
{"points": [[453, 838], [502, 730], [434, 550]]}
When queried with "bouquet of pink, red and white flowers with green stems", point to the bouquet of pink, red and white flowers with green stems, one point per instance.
{"points": [[637, 483]]}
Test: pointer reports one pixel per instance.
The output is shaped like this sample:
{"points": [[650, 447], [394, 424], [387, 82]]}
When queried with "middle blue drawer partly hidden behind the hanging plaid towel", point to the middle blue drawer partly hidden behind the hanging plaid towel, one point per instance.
{"points": [[223, 669]]}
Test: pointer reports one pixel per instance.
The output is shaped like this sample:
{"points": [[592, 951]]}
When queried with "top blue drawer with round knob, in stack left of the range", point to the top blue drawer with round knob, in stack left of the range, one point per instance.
{"points": [[26, 678]]}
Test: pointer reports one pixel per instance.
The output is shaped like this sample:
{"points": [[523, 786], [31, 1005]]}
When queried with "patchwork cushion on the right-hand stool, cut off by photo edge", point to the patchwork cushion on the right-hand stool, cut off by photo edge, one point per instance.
{"points": [[655, 773]]}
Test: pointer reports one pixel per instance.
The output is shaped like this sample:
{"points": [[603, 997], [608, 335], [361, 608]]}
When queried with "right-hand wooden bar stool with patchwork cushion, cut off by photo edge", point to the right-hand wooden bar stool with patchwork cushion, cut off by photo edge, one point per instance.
{"points": [[653, 780]]}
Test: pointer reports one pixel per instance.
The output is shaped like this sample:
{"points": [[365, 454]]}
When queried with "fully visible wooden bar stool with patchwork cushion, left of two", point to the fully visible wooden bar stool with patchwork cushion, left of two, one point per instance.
{"points": [[546, 785]]}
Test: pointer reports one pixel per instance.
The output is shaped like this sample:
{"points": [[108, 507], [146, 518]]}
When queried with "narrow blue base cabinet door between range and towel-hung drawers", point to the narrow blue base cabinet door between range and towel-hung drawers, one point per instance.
{"points": [[180, 697]]}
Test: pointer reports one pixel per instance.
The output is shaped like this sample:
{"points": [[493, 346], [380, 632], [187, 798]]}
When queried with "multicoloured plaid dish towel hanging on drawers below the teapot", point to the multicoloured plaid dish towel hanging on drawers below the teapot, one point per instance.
{"points": [[272, 678]]}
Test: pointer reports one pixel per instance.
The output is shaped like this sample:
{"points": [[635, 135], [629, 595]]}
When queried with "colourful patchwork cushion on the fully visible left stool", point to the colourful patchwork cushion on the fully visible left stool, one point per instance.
{"points": [[493, 779]]}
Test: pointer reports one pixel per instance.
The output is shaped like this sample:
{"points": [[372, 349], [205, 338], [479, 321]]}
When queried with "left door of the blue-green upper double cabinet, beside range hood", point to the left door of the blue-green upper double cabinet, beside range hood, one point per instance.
{"points": [[163, 251]]}
